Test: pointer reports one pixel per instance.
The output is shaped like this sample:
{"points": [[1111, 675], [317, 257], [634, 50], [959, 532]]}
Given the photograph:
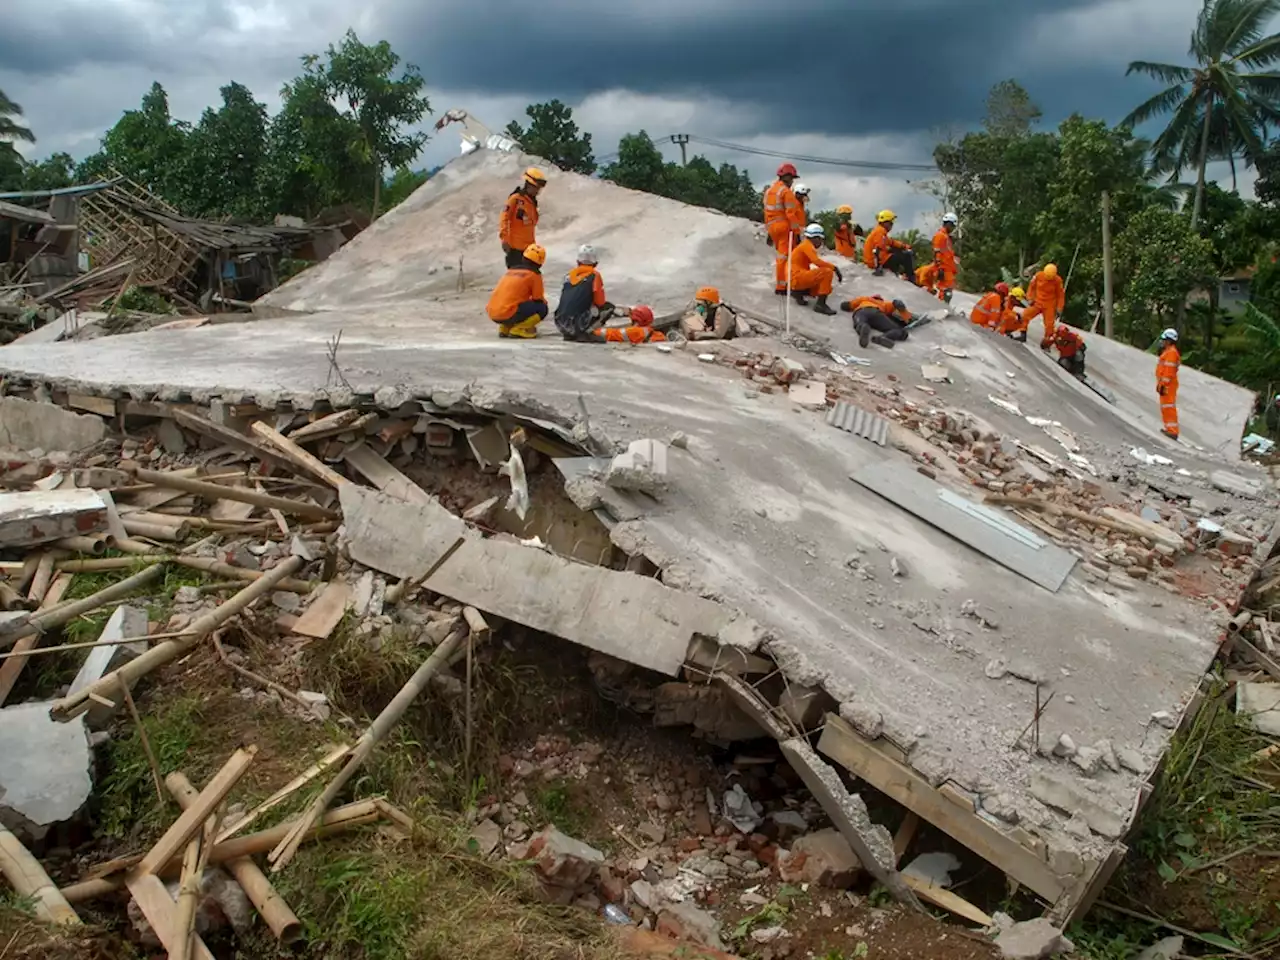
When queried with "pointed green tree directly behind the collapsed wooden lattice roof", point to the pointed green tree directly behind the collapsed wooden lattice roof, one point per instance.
{"points": [[148, 147]]}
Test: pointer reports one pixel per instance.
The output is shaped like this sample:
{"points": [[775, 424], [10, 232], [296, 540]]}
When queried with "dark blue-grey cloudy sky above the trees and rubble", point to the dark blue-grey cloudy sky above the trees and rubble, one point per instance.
{"points": [[824, 79]]}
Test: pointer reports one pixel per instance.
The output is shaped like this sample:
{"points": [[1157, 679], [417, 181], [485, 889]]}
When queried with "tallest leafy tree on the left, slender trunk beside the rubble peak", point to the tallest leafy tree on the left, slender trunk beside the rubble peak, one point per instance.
{"points": [[381, 104]]}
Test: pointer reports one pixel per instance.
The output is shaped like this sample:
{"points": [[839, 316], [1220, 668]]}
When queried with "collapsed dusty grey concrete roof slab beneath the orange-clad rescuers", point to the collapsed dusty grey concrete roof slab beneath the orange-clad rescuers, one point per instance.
{"points": [[760, 513]]}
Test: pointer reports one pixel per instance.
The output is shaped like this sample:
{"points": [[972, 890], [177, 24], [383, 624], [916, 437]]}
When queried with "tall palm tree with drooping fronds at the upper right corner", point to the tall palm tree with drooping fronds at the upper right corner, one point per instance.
{"points": [[1226, 103]]}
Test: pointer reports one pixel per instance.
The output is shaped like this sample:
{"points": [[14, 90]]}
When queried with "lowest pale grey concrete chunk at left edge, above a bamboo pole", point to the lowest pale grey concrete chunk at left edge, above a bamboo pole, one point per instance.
{"points": [[45, 770]]}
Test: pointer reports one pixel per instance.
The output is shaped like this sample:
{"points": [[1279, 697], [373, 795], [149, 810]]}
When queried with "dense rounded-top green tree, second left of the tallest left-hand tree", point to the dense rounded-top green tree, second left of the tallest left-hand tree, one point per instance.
{"points": [[225, 158]]}
